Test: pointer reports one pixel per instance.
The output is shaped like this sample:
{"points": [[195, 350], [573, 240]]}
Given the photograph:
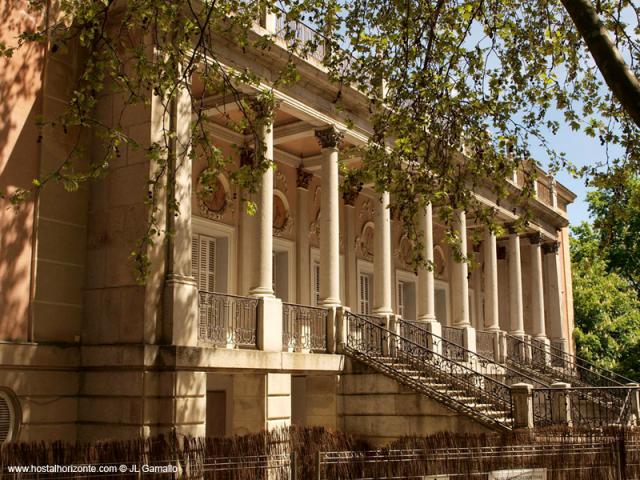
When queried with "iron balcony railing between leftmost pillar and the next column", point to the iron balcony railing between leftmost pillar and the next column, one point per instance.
{"points": [[227, 320]]}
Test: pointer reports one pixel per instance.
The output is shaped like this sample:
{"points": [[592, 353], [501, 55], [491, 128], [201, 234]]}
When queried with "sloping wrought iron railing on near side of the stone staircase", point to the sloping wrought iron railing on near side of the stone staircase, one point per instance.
{"points": [[454, 384]]}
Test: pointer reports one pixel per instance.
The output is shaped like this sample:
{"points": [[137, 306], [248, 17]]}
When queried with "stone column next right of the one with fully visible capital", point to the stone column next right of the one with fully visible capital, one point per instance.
{"points": [[382, 257]]}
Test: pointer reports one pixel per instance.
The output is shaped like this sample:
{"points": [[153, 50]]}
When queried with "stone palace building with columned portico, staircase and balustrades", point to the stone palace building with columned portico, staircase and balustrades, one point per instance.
{"points": [[307, 313]]}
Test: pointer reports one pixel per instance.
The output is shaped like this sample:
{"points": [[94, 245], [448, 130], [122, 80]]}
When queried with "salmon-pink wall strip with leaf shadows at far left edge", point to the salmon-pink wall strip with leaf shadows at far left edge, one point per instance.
{"points": [[20, 94]]}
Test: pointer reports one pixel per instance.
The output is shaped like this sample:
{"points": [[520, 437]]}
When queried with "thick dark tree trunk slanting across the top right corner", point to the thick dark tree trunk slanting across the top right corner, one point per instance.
{"points": [[620, 79]]}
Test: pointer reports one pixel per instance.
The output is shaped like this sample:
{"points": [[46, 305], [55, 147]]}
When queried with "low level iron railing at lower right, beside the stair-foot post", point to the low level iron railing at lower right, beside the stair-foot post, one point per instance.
{"points": [[586, 407]]}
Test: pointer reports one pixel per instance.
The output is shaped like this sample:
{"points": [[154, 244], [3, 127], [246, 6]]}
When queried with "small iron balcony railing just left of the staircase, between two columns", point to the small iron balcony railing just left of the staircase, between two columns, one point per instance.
{"points": [[304, 328]]}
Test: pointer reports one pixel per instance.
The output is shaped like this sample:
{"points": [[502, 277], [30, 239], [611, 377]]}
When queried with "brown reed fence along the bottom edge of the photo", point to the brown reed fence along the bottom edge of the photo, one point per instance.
{"points": [[316, 453]]}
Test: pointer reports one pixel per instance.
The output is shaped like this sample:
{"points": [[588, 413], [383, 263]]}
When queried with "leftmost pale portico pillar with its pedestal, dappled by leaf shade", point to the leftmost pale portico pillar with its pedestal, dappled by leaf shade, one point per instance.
{"points": [[180, 326]]}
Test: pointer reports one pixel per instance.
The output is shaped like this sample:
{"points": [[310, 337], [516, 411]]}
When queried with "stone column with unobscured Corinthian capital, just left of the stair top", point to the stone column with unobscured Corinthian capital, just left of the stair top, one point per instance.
{"points": [[329, 140]]}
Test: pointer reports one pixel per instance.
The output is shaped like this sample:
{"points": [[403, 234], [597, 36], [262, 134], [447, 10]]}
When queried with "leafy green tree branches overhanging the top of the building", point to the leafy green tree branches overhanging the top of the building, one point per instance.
{"points": [[483, 77]]}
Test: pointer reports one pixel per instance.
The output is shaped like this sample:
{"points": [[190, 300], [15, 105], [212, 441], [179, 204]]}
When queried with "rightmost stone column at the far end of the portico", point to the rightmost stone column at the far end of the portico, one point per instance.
{"points": [[555, 320]]}
